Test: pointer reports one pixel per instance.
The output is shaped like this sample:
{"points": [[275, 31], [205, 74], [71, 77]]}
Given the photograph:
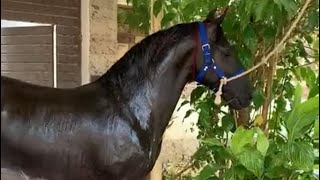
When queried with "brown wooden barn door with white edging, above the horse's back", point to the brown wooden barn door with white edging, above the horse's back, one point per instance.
{"points": [[27, 54]]}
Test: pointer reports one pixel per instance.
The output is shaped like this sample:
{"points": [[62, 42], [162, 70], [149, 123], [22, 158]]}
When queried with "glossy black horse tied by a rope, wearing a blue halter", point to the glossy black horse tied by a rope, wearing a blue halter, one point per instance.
{"points": [[112, 128]]}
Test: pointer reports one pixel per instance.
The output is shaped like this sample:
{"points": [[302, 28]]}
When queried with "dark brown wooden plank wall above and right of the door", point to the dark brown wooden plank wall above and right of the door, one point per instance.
{"points": [[65, 14]]}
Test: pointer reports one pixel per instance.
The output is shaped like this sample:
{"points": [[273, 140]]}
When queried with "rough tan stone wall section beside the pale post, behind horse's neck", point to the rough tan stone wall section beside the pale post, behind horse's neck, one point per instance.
{"points": [[103, 36]]}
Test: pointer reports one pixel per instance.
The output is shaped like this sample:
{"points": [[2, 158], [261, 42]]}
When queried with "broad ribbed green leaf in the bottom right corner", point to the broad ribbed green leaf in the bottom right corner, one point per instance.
{"points": [[300, 154]]}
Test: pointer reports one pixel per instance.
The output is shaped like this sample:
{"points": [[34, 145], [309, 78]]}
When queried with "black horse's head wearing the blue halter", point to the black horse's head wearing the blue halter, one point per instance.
{"points": [[223, 63]]}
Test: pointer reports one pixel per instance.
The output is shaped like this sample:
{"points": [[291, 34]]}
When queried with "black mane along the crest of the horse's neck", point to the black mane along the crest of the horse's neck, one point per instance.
{"points": [[144, 57]]}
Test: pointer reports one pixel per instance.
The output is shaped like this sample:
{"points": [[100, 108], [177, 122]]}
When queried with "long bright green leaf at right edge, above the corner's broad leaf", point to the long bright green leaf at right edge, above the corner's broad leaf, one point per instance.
{"points": [[302, 116]]}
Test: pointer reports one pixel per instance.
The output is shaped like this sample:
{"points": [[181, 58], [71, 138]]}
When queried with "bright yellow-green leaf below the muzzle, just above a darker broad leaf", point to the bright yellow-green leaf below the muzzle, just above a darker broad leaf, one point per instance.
{"points": [[241, 137]]}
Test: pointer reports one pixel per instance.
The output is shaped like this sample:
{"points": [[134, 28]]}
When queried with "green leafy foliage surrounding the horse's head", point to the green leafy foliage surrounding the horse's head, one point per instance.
{"points": [[285, 149]]}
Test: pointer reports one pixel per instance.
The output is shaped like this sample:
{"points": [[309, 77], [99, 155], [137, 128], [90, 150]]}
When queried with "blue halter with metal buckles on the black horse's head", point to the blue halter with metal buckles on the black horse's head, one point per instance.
{"points": [[209, 62]]}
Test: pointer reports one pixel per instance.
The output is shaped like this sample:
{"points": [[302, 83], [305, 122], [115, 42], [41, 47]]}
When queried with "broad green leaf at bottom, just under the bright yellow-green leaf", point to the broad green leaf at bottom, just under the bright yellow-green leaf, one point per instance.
{"points": [[252, 160]]}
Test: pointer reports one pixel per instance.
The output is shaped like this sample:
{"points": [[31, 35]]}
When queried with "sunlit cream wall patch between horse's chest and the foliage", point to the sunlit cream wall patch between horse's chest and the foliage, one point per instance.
{"points": [[180, 139]]}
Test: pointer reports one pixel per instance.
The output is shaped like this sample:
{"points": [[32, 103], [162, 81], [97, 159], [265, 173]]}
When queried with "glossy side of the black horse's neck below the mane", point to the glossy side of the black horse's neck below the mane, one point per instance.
{"points": [[155, 99]]}
